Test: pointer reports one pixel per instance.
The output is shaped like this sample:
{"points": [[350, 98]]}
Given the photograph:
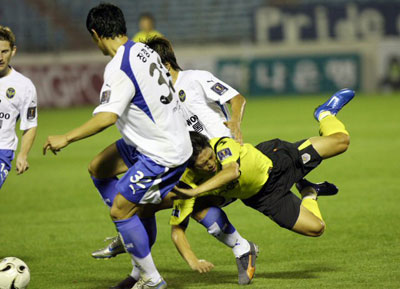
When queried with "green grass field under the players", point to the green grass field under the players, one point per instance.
{"points": [[52, 217]]}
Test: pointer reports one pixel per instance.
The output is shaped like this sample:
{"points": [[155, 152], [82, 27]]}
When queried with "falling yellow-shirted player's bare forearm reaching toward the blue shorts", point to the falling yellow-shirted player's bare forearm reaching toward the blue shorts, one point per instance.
{"points": [[229, 173]]}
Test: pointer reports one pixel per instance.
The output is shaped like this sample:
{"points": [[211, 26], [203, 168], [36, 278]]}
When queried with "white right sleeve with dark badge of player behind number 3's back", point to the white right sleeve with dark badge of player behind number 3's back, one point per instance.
{"points": [[215, 89]]}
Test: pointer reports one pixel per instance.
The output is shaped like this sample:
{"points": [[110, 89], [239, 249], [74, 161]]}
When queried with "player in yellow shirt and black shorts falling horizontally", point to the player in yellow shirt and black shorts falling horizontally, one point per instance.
{"points": [[262, 176]]}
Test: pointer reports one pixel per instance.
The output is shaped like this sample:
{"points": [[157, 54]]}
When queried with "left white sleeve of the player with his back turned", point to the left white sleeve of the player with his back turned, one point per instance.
{"points": [[116, 94]]}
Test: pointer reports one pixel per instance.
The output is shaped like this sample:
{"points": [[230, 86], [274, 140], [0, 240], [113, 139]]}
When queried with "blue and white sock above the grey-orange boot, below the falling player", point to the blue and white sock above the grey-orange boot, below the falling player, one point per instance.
{"points": [[217, 224]]}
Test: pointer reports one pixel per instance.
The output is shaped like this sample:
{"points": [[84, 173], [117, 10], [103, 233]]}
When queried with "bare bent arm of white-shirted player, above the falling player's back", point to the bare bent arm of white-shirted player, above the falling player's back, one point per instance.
{"points": [[238, 104]]}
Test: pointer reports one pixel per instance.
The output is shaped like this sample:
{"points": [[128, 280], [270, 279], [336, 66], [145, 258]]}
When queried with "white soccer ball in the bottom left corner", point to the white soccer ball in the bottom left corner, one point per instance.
{"points": [[14, 274]]}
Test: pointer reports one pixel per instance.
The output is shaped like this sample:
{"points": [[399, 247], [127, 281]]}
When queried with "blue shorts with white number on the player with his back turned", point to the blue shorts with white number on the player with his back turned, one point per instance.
{"points": [[145, 182]]}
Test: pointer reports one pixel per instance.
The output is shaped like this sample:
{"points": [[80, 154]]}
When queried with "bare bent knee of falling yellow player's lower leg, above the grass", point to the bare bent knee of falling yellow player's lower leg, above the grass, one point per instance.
{"points": [[308, 224]]}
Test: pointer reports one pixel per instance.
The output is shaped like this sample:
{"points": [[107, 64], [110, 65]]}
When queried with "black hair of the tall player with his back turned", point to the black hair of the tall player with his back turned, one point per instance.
{"points": [[107, 20]]}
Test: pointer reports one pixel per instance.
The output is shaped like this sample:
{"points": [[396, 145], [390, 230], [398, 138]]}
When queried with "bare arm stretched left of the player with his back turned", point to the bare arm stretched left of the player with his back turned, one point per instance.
{"points": [[99, 122]]}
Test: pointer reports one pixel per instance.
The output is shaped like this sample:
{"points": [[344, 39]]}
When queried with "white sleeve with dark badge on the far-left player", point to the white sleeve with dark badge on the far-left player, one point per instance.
{"points": [[28, 109]]}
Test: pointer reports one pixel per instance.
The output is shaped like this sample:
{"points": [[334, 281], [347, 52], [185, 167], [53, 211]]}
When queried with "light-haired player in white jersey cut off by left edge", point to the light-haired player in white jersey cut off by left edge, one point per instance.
{"points": [[17, 100]]}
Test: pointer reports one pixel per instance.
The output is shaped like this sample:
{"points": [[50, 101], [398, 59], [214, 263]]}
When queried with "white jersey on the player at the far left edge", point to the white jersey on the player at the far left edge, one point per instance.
{"points": [[17, 100]]}
